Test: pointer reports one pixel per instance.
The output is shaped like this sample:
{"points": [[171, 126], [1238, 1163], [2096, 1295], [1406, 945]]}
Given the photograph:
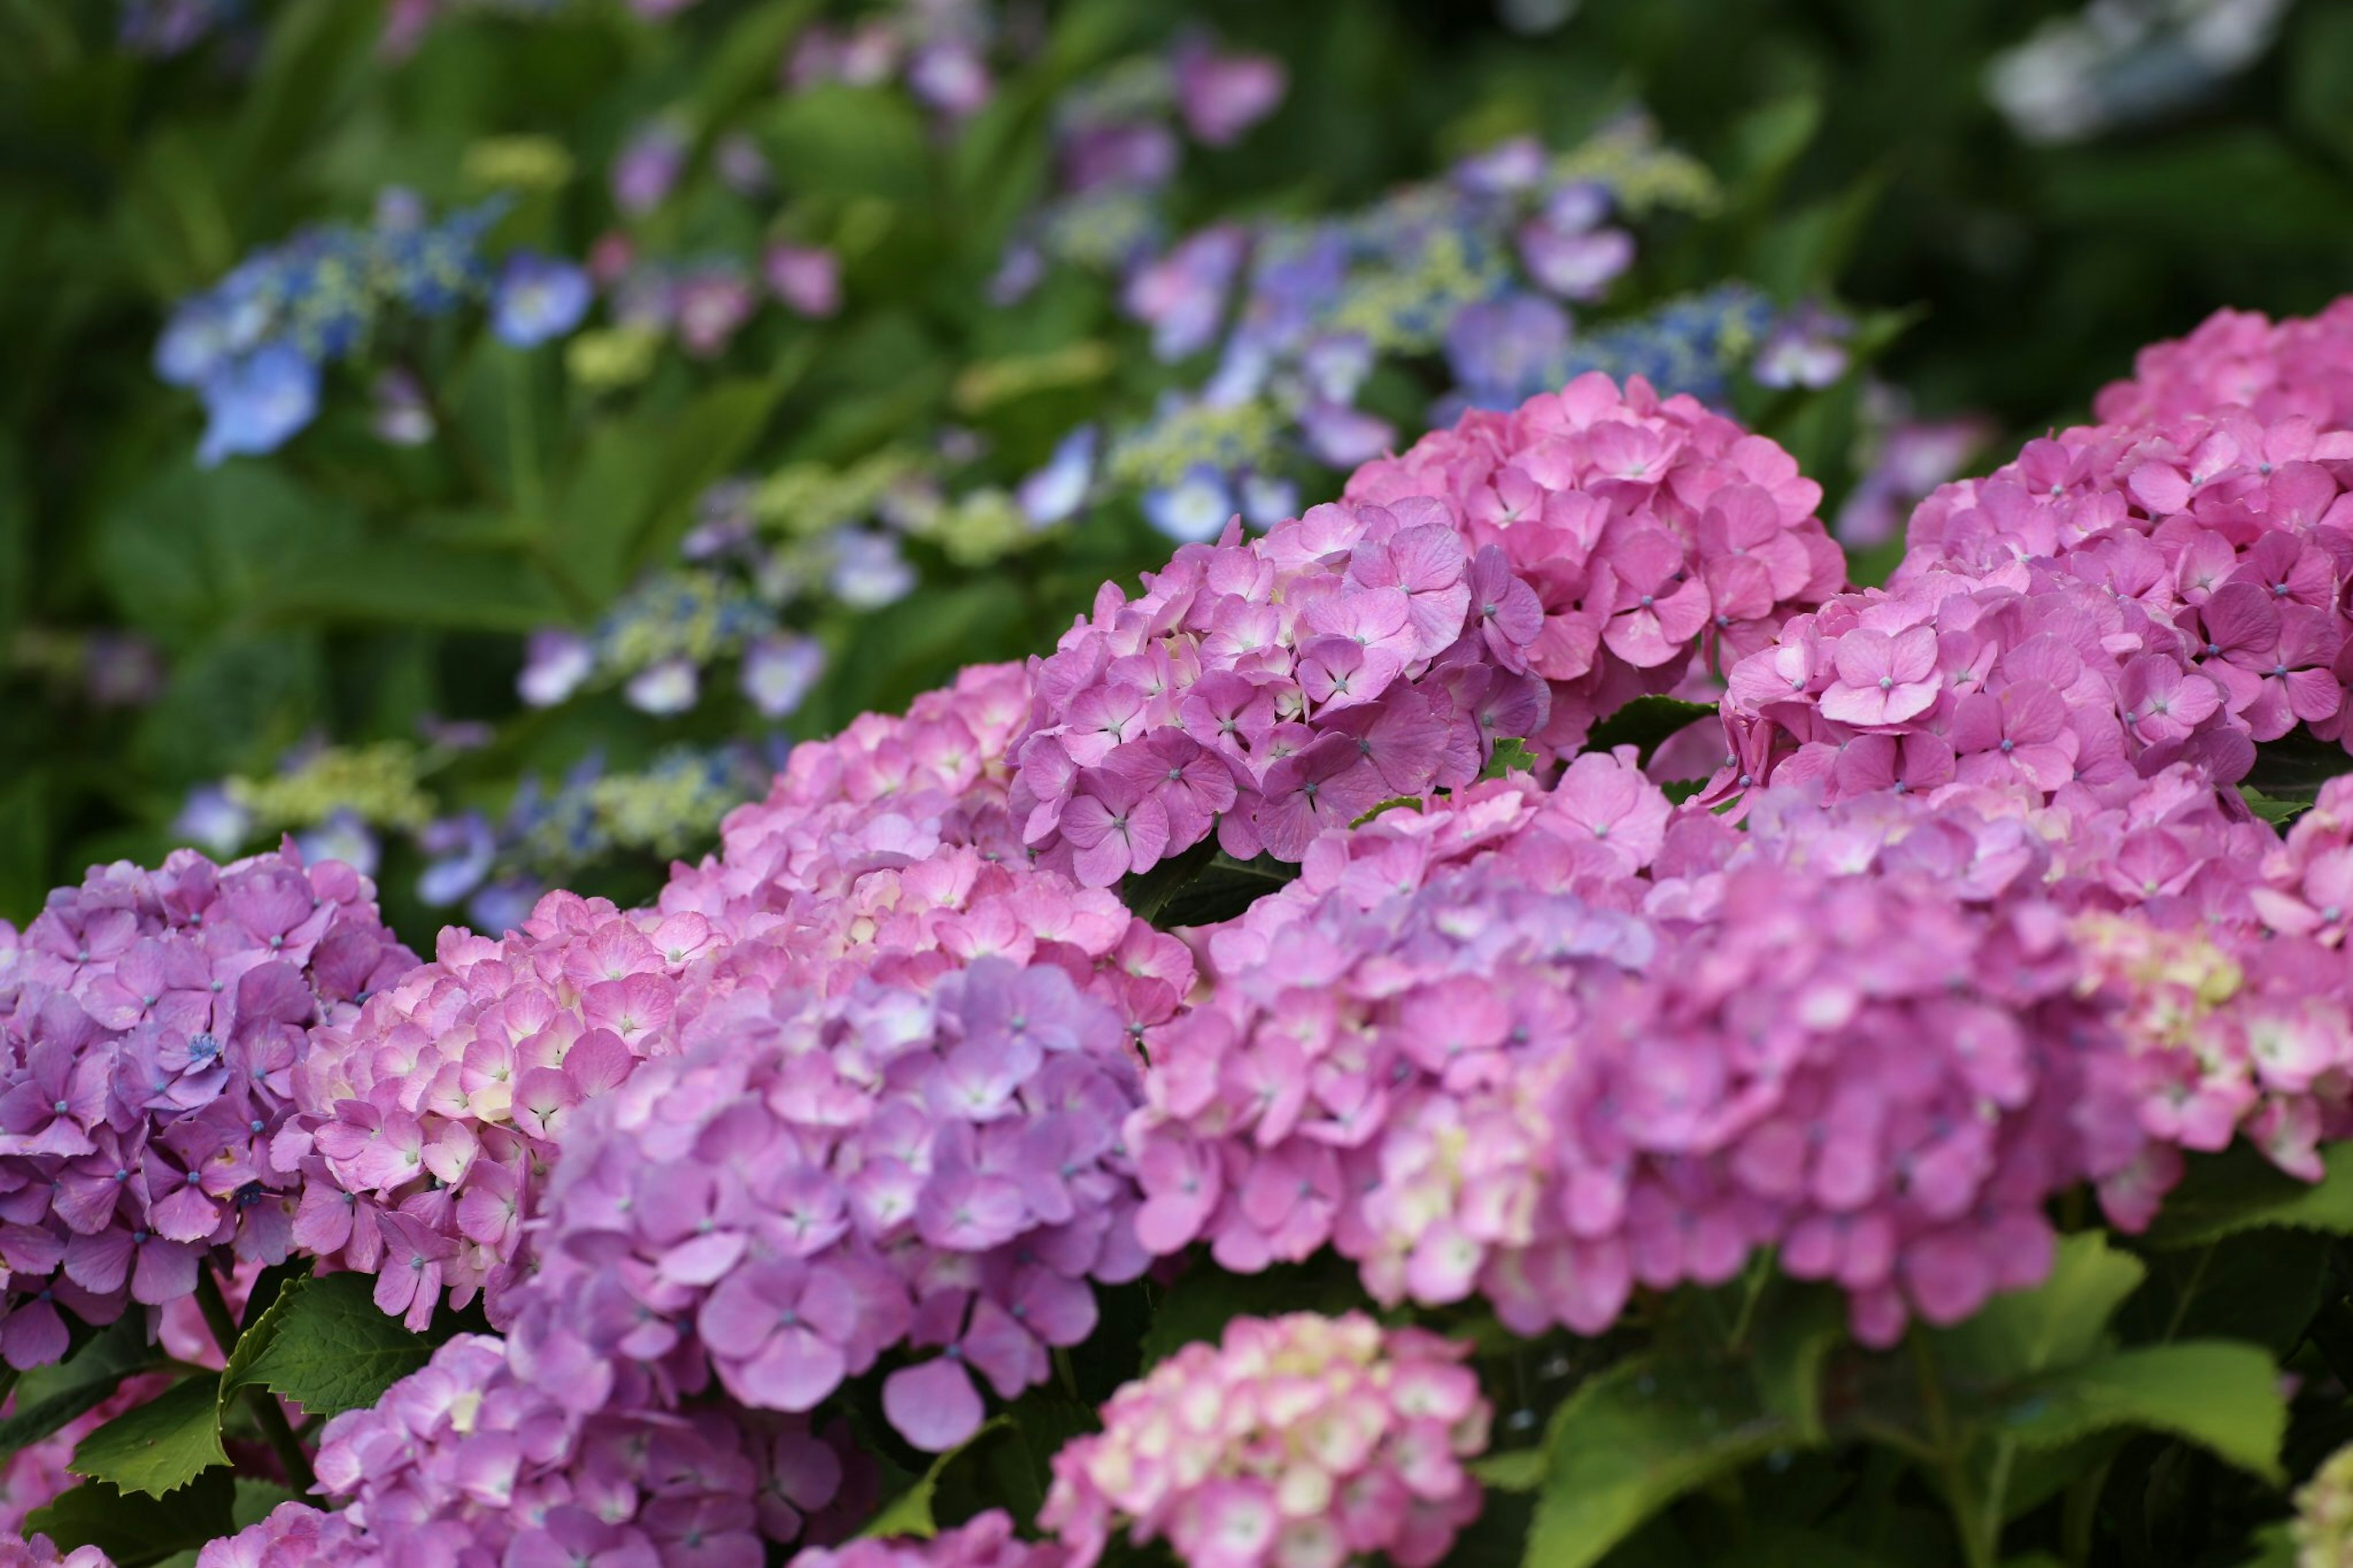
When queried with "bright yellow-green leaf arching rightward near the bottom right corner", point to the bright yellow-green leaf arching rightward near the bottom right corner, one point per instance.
{"points": [[2211, 1393]]}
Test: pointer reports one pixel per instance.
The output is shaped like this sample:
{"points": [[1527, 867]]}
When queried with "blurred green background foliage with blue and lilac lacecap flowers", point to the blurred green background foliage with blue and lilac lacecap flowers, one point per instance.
{"points": [[872, 338]]}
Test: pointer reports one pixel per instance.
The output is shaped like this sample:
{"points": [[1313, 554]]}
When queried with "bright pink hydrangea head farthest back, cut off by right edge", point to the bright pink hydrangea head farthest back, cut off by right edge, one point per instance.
{"points": [[2277, 371]]}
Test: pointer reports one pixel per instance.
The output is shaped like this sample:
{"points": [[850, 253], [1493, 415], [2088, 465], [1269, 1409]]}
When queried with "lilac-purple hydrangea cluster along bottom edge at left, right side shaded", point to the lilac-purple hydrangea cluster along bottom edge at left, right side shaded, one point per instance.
{"points": [[465, 1463]]}
